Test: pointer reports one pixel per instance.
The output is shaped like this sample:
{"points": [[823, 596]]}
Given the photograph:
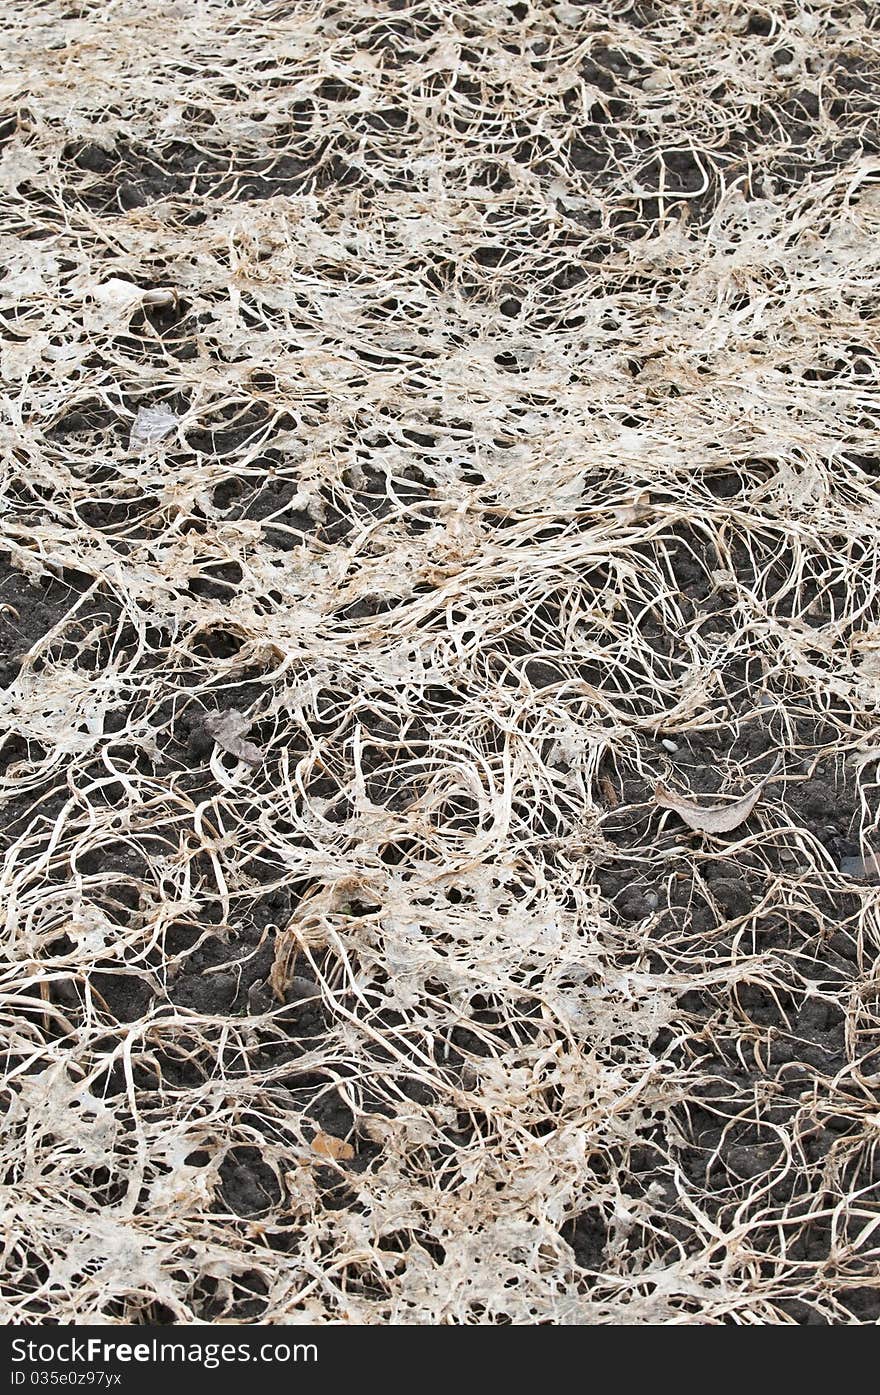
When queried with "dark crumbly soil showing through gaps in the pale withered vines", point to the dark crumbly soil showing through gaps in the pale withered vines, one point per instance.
{"points": [[687, 899]]}
